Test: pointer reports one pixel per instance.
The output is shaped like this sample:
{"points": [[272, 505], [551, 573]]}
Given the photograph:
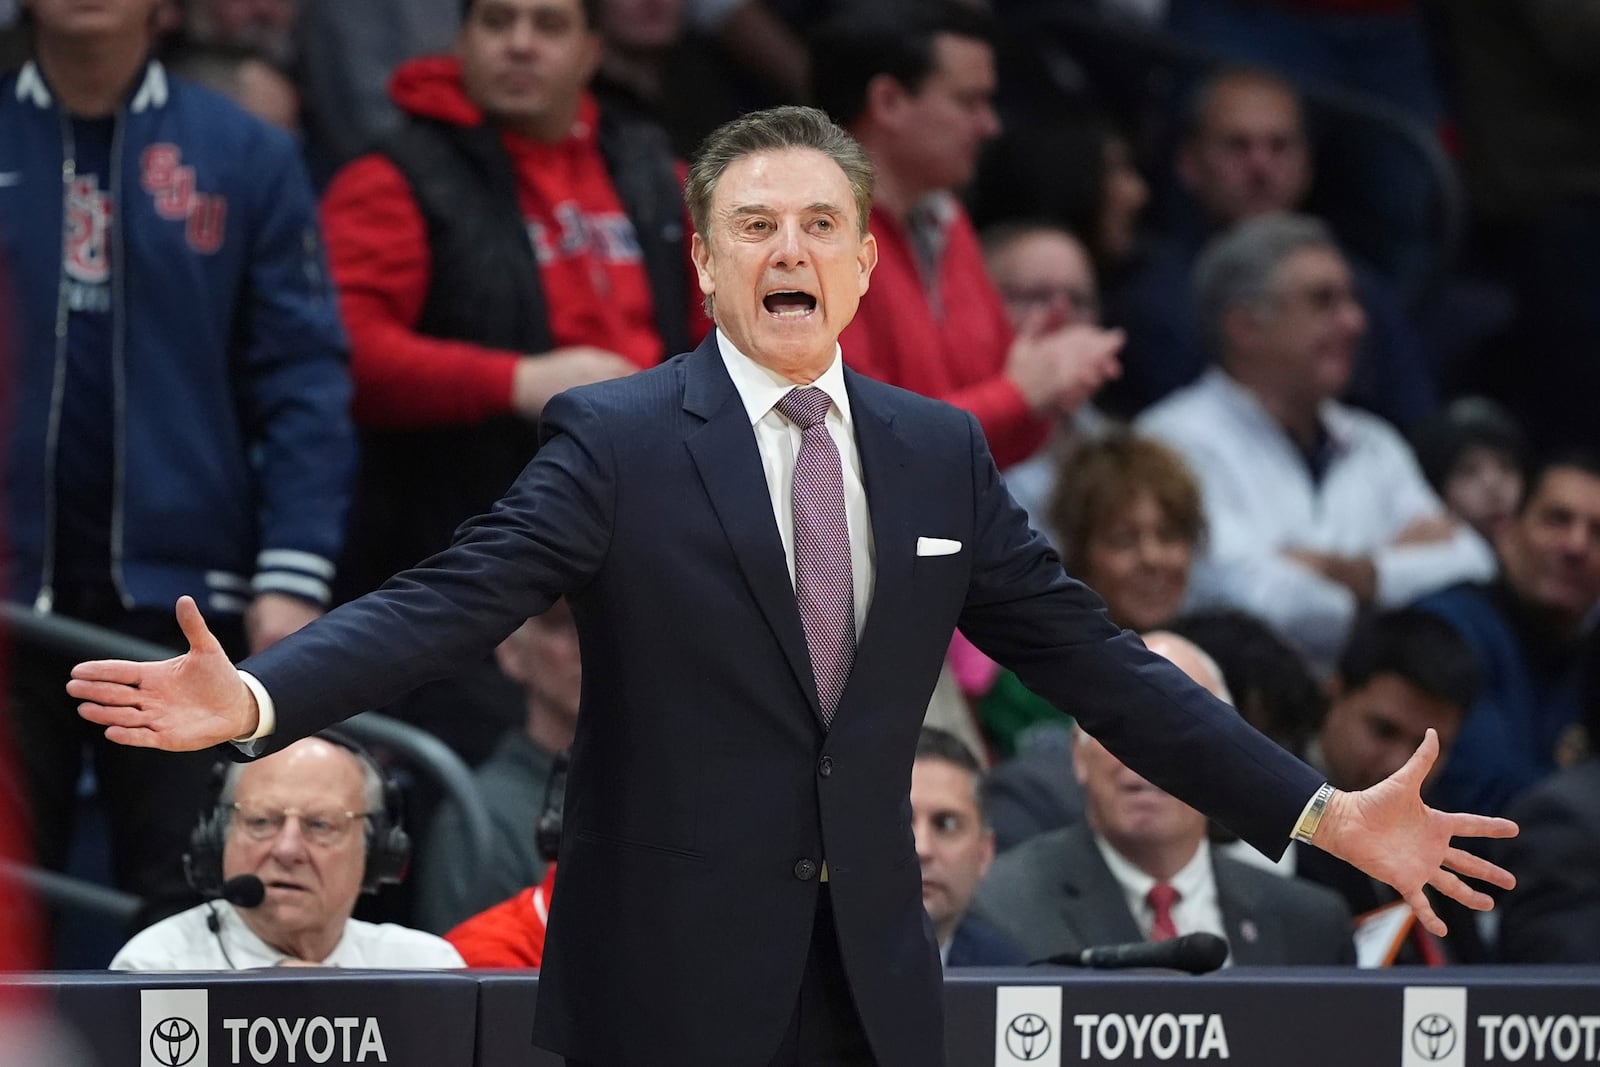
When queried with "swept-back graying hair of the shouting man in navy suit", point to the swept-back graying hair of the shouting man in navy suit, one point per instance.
{"points": [[772, 130]]}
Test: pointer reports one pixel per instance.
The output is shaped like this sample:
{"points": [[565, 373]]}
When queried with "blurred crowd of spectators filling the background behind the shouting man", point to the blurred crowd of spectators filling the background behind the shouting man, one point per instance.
{"points": [[289, 284]]}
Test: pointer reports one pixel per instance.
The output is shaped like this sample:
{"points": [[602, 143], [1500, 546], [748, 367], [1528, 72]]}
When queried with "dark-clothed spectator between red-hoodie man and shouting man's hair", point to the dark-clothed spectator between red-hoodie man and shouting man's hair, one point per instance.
{"points": [[654, 66]]}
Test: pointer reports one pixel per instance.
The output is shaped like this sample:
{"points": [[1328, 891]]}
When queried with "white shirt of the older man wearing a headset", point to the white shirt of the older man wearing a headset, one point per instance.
{"points": [[185, 943]]}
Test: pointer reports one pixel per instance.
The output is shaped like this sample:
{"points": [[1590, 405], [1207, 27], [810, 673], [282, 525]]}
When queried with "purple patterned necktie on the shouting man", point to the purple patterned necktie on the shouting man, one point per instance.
{"points": [[823, 588]]}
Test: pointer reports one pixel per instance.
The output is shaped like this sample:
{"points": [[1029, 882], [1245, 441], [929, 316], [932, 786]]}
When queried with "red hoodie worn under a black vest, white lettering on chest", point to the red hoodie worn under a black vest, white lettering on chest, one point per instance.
{"points": [[598, 292]]}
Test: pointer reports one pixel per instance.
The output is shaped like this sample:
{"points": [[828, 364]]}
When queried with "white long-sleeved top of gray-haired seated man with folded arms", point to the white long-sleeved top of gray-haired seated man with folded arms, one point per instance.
{"points": [[1260, 502]]}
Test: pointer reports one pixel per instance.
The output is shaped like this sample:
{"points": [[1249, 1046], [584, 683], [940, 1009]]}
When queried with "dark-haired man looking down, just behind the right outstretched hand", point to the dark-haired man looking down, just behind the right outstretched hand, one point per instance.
{"points": [[1402, 674]]}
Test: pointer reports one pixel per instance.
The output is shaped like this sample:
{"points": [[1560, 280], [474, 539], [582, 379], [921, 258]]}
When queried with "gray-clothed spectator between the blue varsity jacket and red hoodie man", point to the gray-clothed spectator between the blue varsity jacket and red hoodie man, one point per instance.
{"points": [[348, 50]]}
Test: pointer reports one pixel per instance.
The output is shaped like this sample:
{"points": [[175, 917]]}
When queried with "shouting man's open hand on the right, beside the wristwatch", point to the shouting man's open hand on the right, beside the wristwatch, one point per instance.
{"points": [[1393, 836]]}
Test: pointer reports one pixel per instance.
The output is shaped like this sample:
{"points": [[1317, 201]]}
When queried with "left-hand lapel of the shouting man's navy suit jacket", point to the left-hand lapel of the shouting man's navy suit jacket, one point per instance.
{"points": [[730, 468]]}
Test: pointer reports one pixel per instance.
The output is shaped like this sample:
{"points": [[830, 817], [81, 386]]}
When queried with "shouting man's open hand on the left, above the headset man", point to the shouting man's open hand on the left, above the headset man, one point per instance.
{"points": [[191, 701]]}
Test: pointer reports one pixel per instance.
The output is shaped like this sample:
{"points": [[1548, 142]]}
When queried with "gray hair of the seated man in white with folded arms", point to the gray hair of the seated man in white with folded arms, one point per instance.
{"points": [[1238, 268]]}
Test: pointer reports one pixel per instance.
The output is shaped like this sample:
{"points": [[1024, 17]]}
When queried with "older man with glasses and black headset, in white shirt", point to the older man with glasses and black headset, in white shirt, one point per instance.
{"points": [[282, 857]]}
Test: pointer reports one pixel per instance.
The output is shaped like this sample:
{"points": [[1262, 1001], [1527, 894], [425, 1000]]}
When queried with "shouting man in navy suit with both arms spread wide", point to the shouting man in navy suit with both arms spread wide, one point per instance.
{"points": [[738, 876]]}
